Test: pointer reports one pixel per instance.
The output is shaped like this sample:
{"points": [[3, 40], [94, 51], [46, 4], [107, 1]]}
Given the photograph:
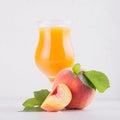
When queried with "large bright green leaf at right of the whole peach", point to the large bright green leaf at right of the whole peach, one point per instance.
{"points": [[98, 79]]}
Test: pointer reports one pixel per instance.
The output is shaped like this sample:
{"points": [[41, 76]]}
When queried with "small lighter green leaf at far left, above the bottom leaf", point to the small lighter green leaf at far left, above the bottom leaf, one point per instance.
{"points": [[31, 102]]}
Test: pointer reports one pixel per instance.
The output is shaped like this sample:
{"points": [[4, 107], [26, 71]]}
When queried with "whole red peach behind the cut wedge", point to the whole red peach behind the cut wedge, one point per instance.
{"points": [[82, 95]]}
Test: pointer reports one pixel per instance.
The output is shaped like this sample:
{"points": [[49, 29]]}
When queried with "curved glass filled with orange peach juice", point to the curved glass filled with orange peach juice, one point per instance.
{"points": [[54, 50]]}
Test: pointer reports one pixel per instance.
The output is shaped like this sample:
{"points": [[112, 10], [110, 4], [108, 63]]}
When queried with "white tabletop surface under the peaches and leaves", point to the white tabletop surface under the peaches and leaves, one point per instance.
{"points": [[98, 110]]}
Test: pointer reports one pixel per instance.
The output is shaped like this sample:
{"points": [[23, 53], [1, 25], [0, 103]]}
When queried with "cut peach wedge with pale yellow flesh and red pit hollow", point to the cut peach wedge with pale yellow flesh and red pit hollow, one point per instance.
{"points": [[58, 99]]}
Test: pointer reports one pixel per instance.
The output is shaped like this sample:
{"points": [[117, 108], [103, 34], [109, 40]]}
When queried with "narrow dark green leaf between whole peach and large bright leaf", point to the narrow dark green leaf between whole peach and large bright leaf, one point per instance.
{"points": [[86, 81]]}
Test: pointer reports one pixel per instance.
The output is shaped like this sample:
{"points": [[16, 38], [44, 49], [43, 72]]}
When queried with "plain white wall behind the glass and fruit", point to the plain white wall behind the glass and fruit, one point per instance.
{"points": [[95, 37]]}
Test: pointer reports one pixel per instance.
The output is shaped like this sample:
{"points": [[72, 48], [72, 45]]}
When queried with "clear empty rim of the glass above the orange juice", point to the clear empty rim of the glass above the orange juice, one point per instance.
{"points": [[54, 23]]}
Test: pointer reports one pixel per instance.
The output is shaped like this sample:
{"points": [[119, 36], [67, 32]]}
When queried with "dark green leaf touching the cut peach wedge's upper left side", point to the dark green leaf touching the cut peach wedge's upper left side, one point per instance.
{"points": [[41, 95]]}
